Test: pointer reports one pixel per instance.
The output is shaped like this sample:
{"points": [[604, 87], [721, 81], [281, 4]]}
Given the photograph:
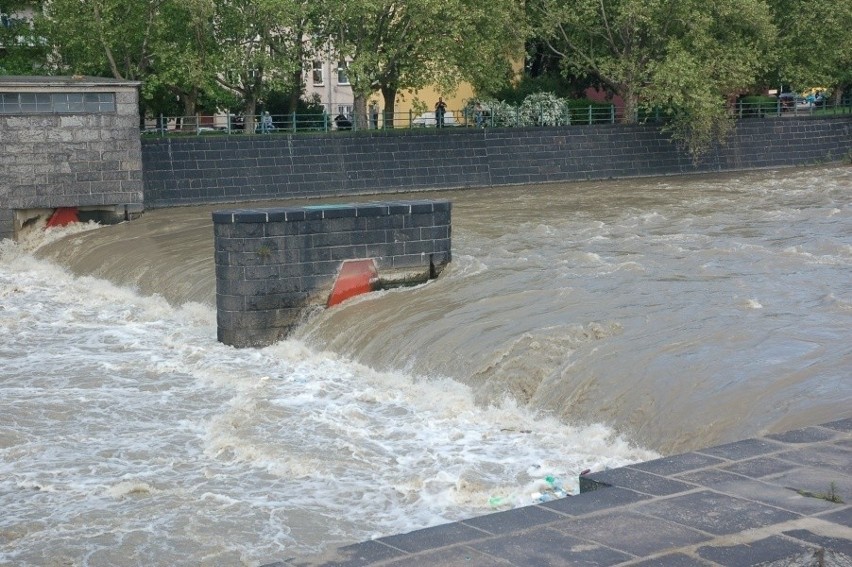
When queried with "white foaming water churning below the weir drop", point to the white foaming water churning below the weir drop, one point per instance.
{"points": [[128, 435]]}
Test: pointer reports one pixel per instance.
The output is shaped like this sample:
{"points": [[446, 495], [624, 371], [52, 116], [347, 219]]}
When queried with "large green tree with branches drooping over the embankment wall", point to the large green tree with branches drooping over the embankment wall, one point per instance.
{"points": [[684, 57]]}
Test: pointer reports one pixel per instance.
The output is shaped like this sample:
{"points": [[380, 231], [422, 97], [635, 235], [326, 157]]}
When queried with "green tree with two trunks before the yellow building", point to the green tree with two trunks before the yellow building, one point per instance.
{"points": [[391, 46]]}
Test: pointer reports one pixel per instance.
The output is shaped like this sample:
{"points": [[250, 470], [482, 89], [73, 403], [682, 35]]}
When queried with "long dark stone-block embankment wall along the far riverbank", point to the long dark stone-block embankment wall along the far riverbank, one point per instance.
{"points": [[222, 169]]}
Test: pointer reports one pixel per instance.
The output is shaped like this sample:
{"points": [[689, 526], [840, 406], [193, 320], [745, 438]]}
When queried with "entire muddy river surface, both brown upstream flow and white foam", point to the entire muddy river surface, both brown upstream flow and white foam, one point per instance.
{"points": [[579, 326]]}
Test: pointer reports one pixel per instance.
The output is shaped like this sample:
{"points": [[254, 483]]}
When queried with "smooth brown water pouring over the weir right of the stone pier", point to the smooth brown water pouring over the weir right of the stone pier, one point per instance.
{"points": [[685, 312]]}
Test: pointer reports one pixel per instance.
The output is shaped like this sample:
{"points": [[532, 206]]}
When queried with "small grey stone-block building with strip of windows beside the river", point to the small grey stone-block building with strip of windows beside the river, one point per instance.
{"points": [[68, 142]]}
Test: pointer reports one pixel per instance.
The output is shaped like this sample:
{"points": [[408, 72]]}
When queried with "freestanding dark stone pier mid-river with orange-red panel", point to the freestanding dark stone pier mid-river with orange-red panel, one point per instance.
{"points": [[274, 264]]}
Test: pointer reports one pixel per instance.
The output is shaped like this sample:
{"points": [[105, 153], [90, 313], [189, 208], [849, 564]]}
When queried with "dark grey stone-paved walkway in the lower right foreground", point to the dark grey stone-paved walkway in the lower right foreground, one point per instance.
{"points": [[779, 500]]}
